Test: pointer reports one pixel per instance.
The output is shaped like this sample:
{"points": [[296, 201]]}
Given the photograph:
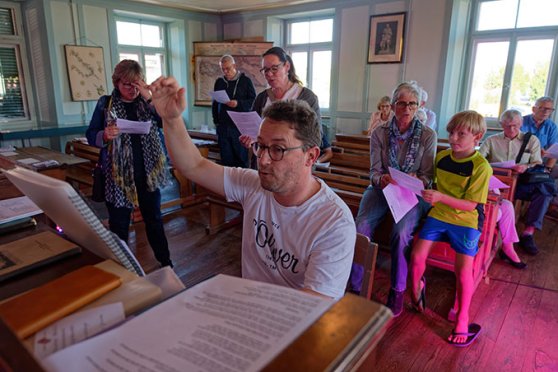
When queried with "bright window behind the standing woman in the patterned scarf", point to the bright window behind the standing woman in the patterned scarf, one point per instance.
{"points": [[144, 42]]}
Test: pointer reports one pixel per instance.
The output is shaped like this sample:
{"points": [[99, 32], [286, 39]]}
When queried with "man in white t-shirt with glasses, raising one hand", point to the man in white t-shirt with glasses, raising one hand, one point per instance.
{"points": [[296, 231]]}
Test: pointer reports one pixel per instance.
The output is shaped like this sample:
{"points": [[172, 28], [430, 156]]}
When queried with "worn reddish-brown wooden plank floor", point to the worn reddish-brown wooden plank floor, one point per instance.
{"points": [[517, 309]]}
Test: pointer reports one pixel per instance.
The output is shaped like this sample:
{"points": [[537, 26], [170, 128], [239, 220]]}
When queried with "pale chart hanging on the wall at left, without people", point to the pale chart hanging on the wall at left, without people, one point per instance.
{"points": [[86, 72]]}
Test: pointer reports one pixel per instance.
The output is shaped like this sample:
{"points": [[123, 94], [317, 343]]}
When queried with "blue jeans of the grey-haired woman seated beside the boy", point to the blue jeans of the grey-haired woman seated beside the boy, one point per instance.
{"points": [[371, 212]]}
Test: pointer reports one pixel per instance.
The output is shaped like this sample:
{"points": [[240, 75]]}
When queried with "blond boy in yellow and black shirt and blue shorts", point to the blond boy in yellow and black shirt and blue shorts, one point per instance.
{"points": [[462, 175]]}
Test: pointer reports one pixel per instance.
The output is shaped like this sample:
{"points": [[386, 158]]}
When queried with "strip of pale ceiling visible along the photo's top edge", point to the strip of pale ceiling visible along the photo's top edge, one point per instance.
{"points": [[222, 6]]}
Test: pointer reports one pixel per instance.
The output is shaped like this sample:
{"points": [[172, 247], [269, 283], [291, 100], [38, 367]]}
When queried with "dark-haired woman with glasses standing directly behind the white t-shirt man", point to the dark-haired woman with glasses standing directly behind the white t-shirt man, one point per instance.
{"points": [[284, 84]]}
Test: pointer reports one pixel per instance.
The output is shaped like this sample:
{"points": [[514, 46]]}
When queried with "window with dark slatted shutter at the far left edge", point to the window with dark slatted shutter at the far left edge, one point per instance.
{"points": [[13, 102]]}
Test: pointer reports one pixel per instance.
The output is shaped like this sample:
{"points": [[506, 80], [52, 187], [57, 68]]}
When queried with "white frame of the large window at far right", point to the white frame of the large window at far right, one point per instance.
{"points": [[512, 36]]}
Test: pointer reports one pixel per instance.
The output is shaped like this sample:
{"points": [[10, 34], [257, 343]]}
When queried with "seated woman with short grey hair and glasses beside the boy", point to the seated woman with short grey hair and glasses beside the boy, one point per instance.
{"points": [[406, 145]]}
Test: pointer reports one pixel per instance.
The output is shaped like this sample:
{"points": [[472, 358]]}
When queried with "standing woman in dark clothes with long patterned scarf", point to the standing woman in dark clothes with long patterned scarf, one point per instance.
{"points": [[134, 163]]}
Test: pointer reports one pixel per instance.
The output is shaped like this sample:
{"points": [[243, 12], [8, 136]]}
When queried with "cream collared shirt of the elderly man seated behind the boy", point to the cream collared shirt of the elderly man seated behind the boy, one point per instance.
{"points": [[498, 148]]}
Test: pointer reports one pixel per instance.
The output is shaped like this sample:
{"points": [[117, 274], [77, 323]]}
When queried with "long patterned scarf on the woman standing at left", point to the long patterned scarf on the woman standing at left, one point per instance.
{"points": [[123, 192]]}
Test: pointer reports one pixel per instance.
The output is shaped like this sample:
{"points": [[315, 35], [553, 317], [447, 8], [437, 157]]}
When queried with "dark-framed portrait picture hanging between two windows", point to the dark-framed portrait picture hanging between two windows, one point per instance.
{"points": [[385, 43]]}
